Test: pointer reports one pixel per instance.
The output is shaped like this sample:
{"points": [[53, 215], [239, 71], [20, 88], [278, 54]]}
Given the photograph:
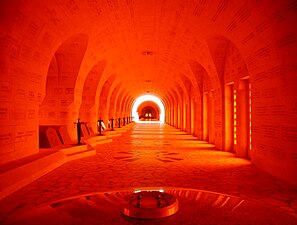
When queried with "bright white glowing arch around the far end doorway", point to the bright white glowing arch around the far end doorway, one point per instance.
{"points": [[145, 98]]}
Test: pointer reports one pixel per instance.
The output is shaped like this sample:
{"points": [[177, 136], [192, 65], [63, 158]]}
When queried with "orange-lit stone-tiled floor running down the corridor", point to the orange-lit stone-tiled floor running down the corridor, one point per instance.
{"points": [[154, 155]]}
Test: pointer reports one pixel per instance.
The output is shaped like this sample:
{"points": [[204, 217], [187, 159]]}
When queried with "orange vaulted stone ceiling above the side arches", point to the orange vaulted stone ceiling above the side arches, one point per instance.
{"points": [[148, 44]]}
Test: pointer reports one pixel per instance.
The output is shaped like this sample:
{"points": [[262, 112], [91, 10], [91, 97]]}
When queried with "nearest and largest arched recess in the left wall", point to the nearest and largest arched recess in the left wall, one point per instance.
{"points": [[60, 82]]}
